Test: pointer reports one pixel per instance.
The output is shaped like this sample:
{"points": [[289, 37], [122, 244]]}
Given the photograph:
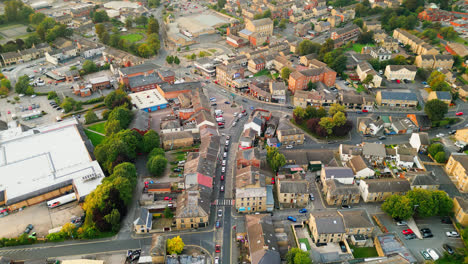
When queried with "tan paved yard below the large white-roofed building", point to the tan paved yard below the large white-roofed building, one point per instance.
{"points": [[40, 216]]}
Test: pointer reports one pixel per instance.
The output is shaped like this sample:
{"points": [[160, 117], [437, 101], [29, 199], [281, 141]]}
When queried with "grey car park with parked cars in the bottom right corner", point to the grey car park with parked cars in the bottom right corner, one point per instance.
{"points": [[417, 245]]}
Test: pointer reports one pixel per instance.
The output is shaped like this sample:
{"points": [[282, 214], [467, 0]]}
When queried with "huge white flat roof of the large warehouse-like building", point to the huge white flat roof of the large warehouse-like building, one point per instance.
{"points": [[46, 158]]}
